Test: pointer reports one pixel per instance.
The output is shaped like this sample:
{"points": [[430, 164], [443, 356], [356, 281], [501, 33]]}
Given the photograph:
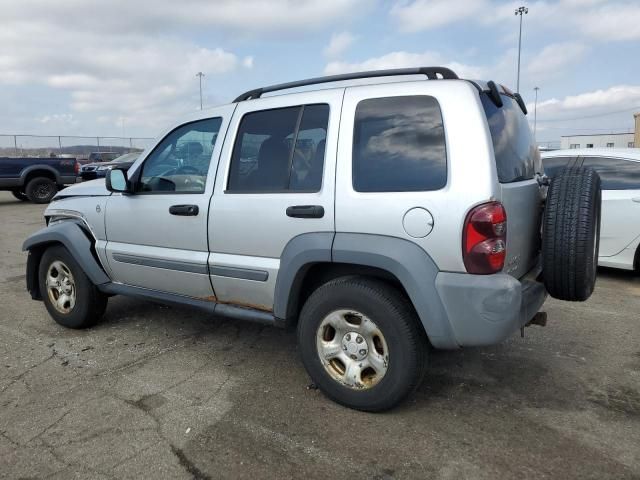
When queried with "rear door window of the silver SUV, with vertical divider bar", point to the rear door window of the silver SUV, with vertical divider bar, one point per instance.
{"points": [[280, 150]]}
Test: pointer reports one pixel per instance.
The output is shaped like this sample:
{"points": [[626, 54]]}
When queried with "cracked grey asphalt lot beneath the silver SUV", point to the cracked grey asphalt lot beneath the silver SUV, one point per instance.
{"points": [[157, 392]]}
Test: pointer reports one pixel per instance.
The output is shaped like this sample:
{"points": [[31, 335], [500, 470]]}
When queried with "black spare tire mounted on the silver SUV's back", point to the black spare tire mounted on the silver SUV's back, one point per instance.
{"points": [[571, 234]]}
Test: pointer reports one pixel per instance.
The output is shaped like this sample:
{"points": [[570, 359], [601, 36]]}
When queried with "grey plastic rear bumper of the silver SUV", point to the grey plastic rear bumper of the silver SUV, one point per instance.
{"points": [[486, 309]]}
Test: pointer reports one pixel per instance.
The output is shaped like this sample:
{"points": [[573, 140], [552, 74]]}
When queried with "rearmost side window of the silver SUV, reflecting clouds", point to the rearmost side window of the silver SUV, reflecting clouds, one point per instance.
{"points": [[399, 145]]}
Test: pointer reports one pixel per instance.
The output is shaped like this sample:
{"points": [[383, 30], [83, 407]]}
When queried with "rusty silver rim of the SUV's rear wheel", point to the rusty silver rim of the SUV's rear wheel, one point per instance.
{"points": [[352, 349]]}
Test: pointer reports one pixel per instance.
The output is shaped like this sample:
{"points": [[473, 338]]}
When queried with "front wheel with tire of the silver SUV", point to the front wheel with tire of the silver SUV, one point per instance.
{"points": [[68, 294]]}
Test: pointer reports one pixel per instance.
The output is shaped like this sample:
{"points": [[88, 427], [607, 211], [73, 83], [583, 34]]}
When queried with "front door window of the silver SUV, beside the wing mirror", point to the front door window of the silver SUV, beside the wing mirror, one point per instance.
{"points": [[180, 162]]}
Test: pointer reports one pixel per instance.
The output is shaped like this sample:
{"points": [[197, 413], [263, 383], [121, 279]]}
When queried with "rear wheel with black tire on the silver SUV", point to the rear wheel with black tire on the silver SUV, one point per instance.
{"points": [[362, 344]]}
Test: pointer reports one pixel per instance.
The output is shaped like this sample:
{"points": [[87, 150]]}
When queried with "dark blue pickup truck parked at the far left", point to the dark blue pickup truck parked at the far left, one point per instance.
{"points": [[36, 179]]}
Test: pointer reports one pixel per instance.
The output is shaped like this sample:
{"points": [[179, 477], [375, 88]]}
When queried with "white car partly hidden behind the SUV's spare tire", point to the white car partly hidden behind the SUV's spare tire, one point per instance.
{"points": [[619, 170]]}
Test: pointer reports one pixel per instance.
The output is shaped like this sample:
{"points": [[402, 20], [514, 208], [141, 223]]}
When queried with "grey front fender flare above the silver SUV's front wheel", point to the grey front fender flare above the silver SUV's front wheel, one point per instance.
{"points": [[75, 239]]}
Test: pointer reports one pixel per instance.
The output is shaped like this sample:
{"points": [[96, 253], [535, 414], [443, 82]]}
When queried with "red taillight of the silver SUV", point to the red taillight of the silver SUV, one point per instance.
{"points": [[484, 239]]}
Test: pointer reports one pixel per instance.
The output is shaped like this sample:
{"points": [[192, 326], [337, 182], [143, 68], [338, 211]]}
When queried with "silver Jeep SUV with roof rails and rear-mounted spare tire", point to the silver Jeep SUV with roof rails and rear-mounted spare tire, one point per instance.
{"points": [[383, 219]]}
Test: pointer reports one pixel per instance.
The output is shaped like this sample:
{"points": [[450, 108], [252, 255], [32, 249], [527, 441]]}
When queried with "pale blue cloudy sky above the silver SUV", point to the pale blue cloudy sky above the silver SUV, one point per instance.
{"points": [[81, 67]]}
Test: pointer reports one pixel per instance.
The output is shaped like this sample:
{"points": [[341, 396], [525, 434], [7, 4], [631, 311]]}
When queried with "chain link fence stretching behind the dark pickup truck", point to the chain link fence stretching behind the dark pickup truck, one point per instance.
{"points": [[67, 146]]}
